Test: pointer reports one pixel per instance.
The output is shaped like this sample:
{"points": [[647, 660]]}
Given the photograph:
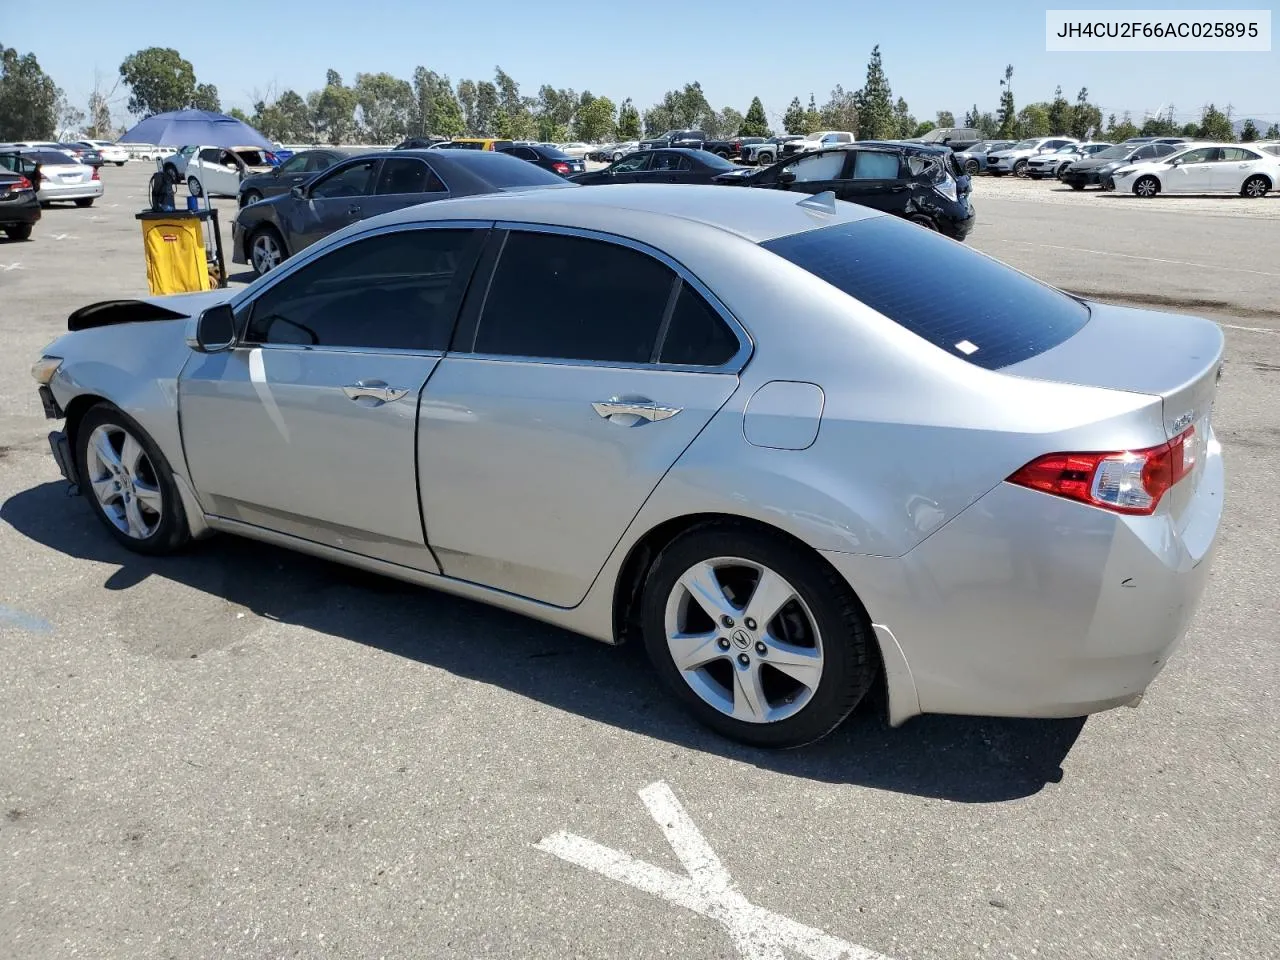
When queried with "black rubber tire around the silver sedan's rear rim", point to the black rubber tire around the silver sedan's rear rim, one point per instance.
{"points": [[851, 660]]}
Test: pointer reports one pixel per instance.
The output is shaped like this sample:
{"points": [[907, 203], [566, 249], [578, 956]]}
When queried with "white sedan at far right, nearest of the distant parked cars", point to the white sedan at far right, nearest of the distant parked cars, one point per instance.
{"points": [[1213, 168]]}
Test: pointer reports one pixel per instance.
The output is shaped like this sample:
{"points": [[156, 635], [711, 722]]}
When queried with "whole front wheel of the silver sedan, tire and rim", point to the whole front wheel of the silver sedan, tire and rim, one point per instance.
{"points": [[129, 482]]}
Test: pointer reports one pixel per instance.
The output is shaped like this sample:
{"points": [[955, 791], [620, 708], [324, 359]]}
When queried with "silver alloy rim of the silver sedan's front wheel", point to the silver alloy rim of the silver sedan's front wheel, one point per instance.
{"points": [[125, 482]]}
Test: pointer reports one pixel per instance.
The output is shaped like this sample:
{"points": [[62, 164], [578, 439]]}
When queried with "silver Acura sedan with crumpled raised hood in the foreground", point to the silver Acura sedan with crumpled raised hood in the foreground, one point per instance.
{"points": [[780, 461]]}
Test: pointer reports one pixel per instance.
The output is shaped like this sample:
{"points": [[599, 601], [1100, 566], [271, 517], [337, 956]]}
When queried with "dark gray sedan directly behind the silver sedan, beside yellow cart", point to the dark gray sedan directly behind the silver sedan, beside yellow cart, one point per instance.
{"points": [[264, 235]]}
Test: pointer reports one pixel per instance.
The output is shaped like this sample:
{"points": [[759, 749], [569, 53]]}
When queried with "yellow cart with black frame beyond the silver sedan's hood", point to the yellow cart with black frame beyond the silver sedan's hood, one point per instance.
{"points": [[173, 243]]}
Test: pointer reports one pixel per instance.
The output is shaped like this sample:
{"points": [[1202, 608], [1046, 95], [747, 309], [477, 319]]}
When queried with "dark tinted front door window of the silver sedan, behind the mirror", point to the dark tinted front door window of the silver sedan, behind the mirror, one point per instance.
{"points": [[396, 291]]}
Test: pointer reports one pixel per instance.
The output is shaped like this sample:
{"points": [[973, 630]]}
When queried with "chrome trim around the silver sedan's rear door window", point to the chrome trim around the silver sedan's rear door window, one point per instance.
{"points": [[734, 365]]}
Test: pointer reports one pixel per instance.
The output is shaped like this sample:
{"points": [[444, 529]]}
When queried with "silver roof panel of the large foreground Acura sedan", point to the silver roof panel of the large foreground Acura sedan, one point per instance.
{"points": [[642, 211]]}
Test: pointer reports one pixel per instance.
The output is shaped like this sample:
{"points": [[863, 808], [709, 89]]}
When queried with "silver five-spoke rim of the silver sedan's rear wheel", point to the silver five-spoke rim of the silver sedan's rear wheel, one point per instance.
{"points": [[744, 641]]}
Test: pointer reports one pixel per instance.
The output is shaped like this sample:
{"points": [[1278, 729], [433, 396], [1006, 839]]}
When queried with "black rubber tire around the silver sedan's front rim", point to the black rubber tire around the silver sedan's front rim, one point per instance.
{"points": [[172, 532]]}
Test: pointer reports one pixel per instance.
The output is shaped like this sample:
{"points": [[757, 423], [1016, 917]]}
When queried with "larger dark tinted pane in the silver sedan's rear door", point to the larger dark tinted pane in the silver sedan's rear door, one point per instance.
{"points": [[574, 299]]}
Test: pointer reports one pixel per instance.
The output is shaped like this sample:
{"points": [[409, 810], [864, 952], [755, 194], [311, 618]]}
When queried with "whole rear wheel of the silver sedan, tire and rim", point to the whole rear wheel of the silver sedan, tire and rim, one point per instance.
{"points": [[756, 636]]}
